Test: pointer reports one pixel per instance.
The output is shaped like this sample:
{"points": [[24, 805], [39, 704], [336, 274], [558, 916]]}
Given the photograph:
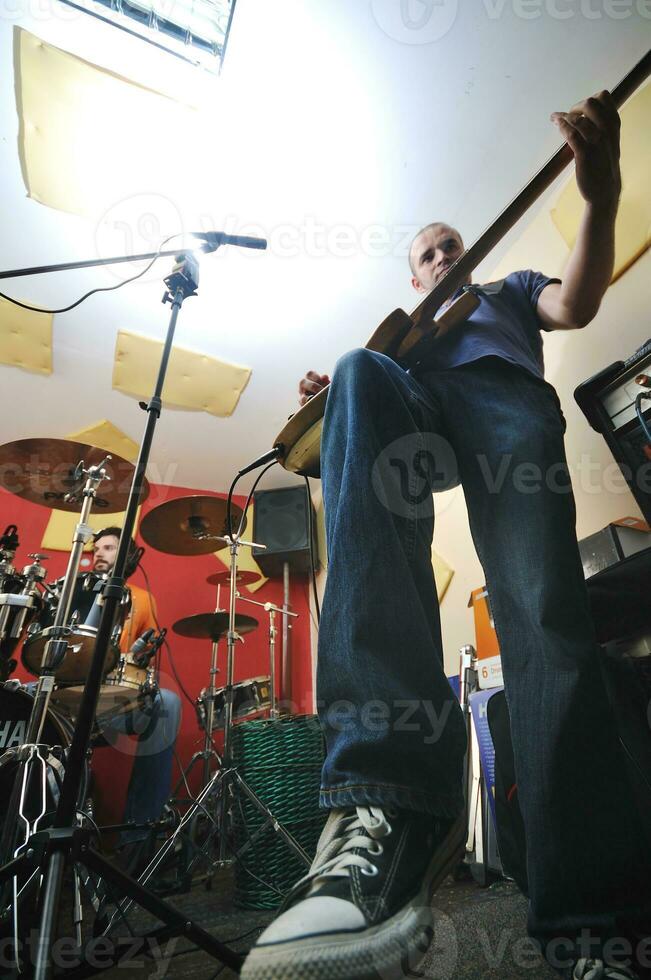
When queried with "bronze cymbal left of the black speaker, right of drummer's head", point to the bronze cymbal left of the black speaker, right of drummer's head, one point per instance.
{"points": [[188, 525]]}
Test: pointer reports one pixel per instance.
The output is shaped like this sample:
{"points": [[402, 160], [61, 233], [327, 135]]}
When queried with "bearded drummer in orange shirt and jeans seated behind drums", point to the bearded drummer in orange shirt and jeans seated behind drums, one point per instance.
{"points": [[156, 722]]}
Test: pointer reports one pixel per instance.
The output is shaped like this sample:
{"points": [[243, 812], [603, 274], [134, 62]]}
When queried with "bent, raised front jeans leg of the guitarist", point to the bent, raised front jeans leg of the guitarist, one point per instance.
{"points": [[395, 733]]}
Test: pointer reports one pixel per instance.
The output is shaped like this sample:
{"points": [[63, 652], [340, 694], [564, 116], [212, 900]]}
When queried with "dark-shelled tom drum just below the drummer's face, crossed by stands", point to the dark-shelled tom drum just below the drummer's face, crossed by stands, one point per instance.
{"points": [[73, 670]]}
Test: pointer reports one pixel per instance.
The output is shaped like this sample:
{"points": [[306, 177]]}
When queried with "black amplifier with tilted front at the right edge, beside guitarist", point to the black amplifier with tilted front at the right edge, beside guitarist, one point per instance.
{"points": [[608, 402]]}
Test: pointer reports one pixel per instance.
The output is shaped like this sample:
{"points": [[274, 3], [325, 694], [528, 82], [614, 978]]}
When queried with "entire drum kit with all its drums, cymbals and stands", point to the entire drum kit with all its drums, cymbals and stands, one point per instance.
{"points": [[57, 623]]}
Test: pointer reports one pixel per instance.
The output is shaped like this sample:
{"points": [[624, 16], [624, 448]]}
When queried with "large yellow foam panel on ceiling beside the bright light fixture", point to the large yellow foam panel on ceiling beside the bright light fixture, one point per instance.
{"points": [[89, 138]]}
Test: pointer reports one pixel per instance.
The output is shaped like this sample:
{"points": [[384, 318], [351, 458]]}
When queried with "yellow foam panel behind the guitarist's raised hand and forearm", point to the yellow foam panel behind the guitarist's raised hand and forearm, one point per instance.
{"points": [[633, 225]]}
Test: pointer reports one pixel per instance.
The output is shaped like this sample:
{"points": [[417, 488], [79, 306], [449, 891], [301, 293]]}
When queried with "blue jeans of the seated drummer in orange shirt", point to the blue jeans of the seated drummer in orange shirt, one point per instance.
{"points": [[156, 726]]}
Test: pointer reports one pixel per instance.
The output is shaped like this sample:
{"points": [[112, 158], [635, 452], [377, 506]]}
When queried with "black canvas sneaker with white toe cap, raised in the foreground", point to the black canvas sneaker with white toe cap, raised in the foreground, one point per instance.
{"points": [[363, 911]]}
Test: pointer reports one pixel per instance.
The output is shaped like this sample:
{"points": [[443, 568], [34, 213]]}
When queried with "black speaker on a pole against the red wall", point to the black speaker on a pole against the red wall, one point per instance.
{"points": [[281, 522]]}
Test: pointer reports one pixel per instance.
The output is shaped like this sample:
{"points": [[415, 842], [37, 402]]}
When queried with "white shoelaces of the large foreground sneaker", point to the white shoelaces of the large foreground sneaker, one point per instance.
{"points": [[362, 829]]}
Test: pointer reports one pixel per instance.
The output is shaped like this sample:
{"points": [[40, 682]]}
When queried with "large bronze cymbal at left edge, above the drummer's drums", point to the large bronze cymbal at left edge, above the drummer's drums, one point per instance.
{"points": [[41, 470]]}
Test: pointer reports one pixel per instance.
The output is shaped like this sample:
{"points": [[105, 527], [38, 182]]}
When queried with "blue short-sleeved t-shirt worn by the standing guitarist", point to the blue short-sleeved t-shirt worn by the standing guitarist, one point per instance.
{"points": [[505, 324]]}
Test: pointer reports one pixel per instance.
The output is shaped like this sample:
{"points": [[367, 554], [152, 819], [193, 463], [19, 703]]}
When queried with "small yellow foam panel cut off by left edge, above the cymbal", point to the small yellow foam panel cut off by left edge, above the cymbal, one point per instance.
{"points": [[25, 338]]}
